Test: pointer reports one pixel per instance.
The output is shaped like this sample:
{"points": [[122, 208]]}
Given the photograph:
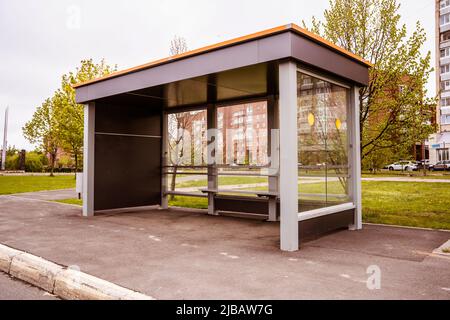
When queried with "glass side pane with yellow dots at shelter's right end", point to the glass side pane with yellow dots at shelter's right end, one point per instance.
{"points": [[322, 143]]}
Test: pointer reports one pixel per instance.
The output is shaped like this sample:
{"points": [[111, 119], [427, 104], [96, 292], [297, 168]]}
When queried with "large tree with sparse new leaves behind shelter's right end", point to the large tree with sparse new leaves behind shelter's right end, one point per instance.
{"points": [[395, 111]]}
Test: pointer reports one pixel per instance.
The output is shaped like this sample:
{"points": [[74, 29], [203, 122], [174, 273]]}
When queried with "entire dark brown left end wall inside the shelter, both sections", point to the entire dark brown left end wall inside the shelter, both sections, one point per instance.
{"points": [[127, 167]]}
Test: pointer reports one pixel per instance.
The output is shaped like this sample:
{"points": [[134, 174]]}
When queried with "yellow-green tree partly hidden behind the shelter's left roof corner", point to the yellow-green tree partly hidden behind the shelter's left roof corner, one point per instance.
{"points": [[70, 115]]}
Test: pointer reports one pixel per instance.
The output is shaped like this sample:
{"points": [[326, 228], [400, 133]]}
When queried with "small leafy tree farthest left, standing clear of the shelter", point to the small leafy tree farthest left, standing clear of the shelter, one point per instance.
{"points": [[43, 129]]}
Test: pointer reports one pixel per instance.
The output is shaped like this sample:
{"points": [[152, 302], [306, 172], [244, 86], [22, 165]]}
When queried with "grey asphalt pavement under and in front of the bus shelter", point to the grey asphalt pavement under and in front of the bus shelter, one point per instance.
{"points": [[184, 254]]}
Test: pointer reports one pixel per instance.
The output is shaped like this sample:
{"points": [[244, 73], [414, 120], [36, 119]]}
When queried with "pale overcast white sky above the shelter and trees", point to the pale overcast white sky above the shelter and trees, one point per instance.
{"points": [[42, 40]]}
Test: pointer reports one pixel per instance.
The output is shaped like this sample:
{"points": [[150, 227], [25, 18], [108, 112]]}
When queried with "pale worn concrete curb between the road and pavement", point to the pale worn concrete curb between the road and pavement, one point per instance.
{"points": [[64, 282]]}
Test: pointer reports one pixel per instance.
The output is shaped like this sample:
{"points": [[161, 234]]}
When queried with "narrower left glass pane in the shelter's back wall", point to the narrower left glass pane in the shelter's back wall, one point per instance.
{"points": [[187, 157]]}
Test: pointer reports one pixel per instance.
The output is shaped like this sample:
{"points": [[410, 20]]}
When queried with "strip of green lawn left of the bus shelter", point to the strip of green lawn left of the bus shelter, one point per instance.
{"points": [[18, 184]]}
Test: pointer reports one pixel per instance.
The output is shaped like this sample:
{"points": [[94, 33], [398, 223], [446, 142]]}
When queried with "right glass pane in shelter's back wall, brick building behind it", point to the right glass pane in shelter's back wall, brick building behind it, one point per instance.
{"points": [[242, 147]]}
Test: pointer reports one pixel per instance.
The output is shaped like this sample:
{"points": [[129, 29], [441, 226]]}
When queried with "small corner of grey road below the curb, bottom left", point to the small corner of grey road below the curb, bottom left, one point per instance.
{"points": [[11, 289]]}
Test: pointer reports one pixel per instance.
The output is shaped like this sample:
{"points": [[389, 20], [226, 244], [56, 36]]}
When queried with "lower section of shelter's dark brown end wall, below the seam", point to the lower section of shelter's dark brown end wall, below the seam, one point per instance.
{"points": [[127, 172]]}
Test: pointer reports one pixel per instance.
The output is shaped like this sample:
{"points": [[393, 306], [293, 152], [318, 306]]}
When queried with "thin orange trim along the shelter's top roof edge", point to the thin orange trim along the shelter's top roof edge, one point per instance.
{"points": [[220, 45]]}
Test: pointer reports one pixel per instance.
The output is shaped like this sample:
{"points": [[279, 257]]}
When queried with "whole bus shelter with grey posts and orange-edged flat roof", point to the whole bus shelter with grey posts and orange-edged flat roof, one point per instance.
{"points": [[266, 125]]}
